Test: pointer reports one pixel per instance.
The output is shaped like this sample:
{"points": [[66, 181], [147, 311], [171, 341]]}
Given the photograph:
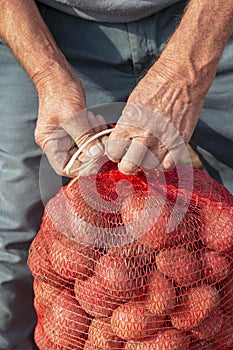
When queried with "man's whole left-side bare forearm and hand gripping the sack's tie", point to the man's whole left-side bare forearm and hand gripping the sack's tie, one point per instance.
{"points": [[63, 125]]}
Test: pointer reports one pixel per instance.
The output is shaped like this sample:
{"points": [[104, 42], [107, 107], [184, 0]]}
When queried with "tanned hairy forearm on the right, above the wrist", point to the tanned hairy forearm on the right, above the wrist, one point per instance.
{"points": [[193, 52]]}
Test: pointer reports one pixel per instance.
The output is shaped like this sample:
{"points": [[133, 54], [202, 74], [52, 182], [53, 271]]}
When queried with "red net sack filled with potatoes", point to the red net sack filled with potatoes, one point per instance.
{"points": [[135, 262]]}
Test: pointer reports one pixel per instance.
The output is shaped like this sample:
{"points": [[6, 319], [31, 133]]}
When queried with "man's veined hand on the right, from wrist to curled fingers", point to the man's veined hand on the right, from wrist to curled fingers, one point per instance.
{"points": [[156, 124]]}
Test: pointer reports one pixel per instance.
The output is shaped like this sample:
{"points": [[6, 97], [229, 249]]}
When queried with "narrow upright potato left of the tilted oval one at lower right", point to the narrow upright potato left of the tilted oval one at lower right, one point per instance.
{"points": [[160, 294]]}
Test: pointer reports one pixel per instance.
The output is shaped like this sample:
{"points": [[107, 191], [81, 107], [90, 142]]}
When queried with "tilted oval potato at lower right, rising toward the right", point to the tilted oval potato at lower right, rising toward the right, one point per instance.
{"points": [[195, 307]]}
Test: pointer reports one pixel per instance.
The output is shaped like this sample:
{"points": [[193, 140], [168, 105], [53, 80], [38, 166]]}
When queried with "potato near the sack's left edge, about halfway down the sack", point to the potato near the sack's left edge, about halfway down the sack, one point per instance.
{"points": [[72, 263]]}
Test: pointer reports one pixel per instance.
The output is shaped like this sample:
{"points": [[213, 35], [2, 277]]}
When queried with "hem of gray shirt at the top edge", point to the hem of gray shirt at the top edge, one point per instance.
{"points": [[118, 11]]}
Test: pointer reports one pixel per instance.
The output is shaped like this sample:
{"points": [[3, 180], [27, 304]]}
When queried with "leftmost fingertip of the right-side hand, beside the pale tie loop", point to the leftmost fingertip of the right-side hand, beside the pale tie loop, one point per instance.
{"points": [[115, 149]]}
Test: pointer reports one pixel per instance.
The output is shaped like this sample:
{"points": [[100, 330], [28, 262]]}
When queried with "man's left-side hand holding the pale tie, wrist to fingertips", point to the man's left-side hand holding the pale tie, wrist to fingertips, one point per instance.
{"points": [[63, 123]]}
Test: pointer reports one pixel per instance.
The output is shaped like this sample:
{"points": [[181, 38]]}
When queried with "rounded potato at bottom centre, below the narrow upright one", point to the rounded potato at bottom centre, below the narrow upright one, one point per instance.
{"points": [[134, 321]]}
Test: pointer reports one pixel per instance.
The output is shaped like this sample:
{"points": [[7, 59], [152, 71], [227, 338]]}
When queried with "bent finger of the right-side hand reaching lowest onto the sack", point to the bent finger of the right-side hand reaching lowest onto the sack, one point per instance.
{"points": [[133, 158]]}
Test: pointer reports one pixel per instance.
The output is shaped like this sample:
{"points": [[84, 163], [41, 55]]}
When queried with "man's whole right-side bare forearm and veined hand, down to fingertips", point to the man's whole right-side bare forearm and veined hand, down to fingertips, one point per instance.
{"points": [[163, 110]]}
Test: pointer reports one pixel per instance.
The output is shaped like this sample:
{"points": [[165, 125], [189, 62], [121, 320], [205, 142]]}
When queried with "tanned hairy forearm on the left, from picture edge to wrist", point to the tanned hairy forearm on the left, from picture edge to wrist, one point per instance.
{"points": [[23, 29]]}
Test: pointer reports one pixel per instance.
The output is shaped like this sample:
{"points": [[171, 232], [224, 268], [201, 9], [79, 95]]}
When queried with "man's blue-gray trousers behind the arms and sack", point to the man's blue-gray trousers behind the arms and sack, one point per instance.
{"points": [[109, 59]]}
